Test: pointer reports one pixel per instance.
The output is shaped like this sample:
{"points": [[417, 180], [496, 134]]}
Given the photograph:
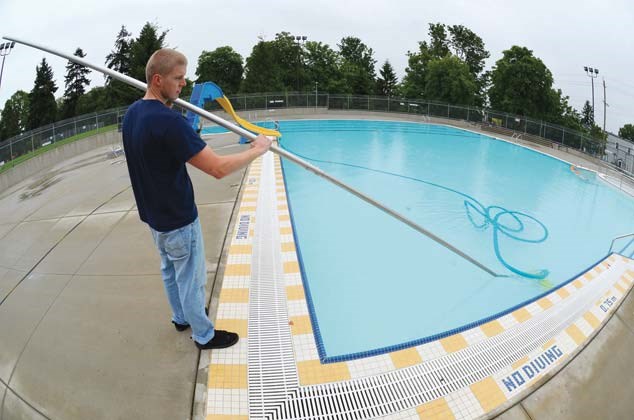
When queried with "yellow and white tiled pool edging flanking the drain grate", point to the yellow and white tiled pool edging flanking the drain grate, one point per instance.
{"points": [[228, 387]]}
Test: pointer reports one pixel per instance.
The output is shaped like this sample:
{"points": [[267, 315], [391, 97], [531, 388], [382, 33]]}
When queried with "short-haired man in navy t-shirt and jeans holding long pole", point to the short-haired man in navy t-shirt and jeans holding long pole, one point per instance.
{"points": [[158, 142]]}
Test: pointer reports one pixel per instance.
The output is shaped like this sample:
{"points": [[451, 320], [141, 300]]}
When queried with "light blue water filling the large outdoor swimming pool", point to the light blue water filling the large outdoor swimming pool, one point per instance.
{"points": [[375, 283]]}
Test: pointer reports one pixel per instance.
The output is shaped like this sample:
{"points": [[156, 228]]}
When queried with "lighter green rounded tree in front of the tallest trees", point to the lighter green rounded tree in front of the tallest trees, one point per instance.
{"points": [[449, 80]]}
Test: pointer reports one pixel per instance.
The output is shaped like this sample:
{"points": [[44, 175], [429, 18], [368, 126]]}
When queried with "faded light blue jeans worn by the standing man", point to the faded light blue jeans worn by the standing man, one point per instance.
{"points": [[184, 276]]}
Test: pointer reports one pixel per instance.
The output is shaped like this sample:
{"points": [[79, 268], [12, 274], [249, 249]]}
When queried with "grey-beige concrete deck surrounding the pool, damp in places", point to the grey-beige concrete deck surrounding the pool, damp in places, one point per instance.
{"points": [[84, 324]]}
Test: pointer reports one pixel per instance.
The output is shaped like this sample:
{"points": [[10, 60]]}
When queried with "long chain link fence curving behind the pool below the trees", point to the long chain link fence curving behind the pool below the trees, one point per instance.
{"points": [[499, 122]]}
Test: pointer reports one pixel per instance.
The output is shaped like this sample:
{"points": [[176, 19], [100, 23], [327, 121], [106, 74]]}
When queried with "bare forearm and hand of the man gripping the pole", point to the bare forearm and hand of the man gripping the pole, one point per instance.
{"points": [[220, 166]]}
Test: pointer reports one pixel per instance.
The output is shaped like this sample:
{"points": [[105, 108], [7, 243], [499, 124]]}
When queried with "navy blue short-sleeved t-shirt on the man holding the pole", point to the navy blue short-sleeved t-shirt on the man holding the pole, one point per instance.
{"points": [[158, 142]]}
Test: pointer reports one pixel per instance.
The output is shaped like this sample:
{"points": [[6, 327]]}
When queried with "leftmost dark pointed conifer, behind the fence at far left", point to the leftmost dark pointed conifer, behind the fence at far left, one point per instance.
{"points": [[42, 105]]}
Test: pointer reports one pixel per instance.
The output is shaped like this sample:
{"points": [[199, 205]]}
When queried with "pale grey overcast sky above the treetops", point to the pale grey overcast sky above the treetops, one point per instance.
{"points": [[565, 35]]}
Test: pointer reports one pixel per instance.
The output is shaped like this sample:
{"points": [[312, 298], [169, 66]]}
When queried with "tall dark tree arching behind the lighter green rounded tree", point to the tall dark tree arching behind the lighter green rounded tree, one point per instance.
{"points": [[455, 40]]}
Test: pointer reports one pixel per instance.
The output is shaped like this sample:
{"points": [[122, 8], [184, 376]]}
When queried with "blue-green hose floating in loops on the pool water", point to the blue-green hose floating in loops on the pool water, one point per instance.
{"points": [[491, 216]]}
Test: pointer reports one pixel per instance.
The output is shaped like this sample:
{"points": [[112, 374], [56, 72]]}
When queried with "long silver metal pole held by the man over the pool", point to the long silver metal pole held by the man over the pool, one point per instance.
{"points": [[249, 135]]}
